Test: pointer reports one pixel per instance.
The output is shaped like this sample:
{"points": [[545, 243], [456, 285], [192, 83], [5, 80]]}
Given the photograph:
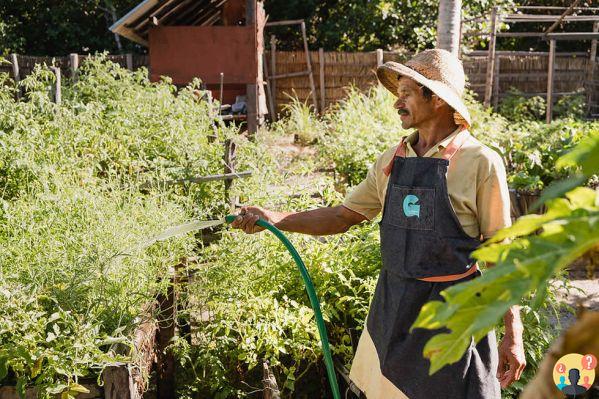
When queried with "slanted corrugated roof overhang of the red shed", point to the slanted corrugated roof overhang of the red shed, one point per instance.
{"points": [[136, 23]]}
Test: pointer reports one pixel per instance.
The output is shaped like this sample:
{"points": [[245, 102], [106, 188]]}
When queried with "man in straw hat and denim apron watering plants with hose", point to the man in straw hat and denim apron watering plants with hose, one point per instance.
{"points": [[440, 192]]}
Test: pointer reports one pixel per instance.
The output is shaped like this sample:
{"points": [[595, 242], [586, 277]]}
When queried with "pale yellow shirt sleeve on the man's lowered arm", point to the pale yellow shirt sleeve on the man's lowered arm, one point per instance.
{"points": [[493, 199]]}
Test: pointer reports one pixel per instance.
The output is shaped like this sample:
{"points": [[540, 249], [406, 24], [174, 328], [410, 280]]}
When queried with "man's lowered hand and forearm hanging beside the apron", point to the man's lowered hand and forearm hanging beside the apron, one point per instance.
{"points": [[511, 350]]}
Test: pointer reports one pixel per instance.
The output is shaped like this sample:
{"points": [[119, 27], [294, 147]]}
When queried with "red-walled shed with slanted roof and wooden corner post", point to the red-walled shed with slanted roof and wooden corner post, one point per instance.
{"points": [[218, 41]]}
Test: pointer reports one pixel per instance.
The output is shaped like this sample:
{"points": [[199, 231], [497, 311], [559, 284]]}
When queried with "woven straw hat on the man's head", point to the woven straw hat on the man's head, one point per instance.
{"points": [[436, 69]]}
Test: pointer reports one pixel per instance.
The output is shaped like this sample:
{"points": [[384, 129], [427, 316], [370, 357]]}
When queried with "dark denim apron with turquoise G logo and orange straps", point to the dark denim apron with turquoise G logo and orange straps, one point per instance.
{"points": [[424, 251]]}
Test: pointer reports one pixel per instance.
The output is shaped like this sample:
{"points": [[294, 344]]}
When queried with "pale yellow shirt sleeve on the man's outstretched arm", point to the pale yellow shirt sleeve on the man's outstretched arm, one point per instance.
{"points": [[364, 198]]}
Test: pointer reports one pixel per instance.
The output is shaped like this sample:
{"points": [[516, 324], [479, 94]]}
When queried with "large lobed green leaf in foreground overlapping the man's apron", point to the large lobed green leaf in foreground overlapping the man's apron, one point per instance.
{"points": [[523, 265]]}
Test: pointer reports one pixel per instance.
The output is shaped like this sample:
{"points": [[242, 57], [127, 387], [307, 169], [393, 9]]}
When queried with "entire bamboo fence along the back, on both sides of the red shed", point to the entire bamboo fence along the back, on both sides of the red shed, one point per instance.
{"points": [[526, 72]]}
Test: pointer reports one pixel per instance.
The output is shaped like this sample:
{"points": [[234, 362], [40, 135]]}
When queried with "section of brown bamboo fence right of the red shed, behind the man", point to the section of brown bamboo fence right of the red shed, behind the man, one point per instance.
{"points": [[526, 73]]}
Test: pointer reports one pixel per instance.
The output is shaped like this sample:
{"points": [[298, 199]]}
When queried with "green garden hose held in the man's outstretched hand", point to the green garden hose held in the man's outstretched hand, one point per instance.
{"points": [[322, 330]]}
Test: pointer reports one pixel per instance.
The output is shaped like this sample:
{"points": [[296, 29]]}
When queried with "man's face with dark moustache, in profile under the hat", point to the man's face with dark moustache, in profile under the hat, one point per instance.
{"points": [[411, 104]]}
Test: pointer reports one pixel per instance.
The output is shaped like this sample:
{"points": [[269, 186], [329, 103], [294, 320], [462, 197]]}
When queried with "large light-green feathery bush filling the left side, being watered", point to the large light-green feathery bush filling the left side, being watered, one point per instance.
{"points": [[74, 271]]}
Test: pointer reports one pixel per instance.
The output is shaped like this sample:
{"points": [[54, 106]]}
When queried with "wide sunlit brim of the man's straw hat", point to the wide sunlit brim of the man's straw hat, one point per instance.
{"points": [[389, 73]]}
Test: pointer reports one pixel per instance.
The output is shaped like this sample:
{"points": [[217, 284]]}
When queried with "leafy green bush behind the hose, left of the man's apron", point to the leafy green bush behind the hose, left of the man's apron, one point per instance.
{"points": [[259, 311]]}
